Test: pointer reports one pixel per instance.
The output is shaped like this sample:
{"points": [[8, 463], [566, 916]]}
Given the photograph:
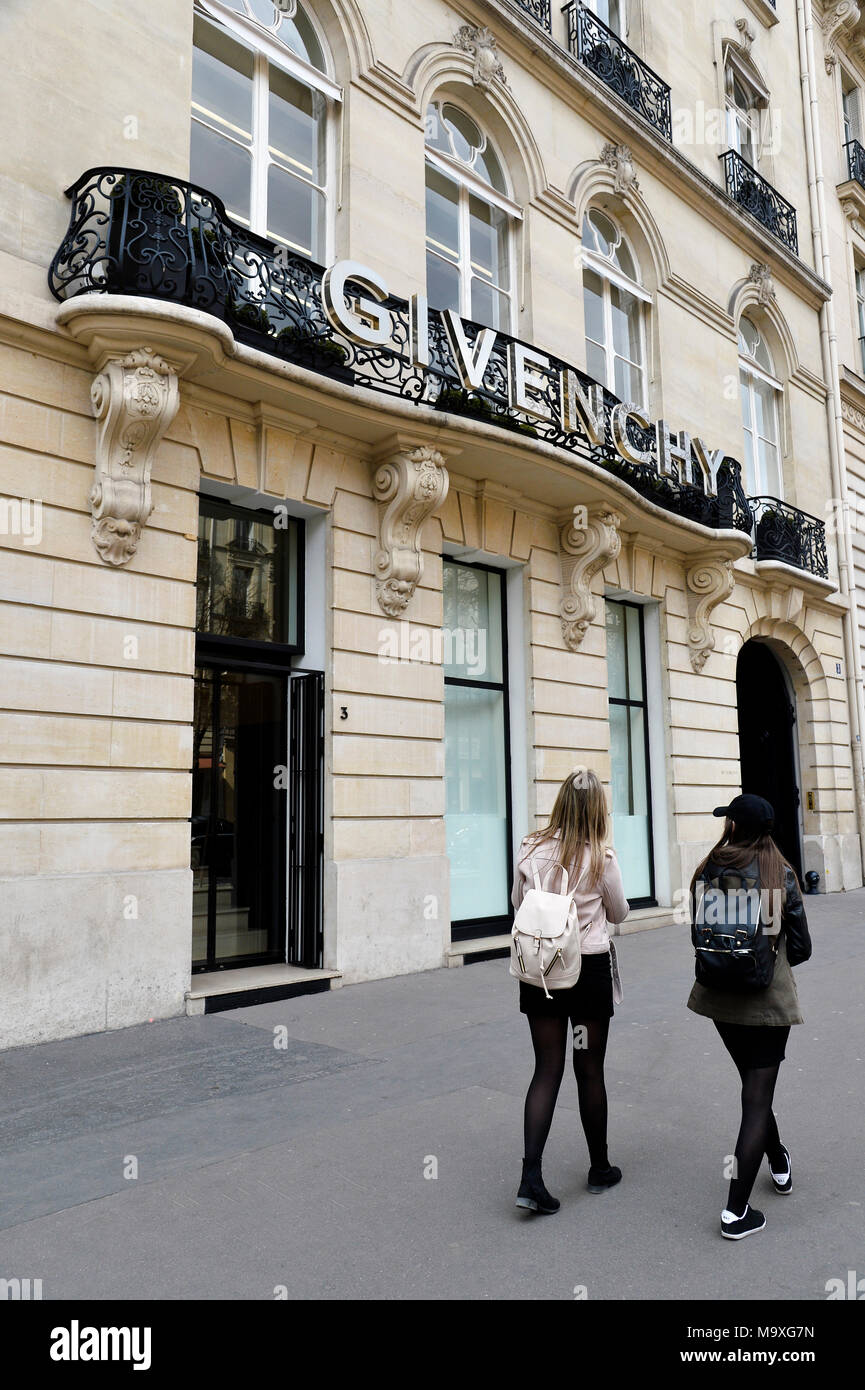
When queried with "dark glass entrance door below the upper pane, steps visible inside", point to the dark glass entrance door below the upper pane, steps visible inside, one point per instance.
{"points": [[239, 818]]}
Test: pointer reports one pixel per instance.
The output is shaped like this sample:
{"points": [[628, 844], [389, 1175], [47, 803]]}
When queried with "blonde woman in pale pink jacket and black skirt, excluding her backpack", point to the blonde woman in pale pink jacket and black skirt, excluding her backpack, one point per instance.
{"points": [[574, 840]]}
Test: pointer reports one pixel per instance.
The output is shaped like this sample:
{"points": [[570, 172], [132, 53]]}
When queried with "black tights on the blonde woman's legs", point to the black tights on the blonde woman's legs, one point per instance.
{"points": [[550, 1039]]}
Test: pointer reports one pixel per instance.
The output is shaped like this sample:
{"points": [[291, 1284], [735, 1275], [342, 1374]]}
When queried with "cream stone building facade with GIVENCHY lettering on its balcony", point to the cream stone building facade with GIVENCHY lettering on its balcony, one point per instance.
{"points": [[405, 407]]}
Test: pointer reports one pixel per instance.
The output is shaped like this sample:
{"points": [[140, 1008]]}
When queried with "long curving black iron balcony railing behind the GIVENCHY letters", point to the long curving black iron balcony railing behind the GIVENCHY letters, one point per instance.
{"points": [[137, 233]]}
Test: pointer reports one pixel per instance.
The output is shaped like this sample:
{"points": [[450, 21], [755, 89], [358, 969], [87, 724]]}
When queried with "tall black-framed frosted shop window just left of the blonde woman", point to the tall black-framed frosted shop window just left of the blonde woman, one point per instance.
{"points": [[478, 750]]}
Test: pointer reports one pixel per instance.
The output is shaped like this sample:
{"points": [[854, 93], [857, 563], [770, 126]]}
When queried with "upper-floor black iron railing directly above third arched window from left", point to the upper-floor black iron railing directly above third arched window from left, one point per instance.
{"points": [[604, 54]]}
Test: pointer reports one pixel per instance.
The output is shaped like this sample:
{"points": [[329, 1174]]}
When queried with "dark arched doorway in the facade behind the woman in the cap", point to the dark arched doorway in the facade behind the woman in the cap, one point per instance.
{"points": [[767, 742]]}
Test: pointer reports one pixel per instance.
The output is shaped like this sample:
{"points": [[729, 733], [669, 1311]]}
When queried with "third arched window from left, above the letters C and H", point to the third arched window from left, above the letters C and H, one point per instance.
{"points": [[615, 306]]}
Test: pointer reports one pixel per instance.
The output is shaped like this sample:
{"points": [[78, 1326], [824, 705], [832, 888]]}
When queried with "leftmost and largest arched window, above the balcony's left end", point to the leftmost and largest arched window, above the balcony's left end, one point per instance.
{"points": [[261, 98]]}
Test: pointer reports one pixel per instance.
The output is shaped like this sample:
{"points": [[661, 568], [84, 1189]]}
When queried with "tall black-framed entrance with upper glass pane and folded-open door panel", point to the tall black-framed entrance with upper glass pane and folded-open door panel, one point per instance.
{"points": [[245, 767]]}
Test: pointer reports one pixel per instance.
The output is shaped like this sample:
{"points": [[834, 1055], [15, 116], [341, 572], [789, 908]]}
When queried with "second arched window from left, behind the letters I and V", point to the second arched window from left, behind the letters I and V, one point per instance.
{"points": [[471, 219]]}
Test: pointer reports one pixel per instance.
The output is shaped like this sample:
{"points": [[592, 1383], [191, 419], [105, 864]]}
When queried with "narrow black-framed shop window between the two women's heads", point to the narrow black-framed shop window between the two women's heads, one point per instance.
{"points": [[632, 787]]}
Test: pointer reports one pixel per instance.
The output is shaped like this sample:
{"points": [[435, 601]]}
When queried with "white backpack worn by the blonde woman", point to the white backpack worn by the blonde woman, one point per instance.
{"points": [[546, 938]]}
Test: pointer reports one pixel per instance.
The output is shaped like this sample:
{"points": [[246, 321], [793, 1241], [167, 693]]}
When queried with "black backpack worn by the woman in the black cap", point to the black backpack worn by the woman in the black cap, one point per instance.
{"points": [[734, 950]]}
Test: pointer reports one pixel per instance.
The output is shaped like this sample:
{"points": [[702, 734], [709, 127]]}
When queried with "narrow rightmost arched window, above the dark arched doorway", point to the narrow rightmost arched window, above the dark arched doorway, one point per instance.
{"points": [[761, 393]]}
